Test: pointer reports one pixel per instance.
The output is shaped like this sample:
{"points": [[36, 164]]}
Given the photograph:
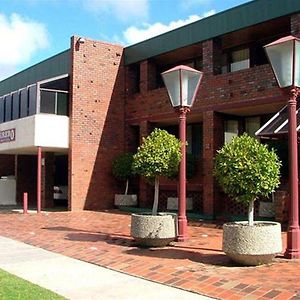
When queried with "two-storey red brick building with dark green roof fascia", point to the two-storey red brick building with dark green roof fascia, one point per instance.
{"points": [[85, 106]]}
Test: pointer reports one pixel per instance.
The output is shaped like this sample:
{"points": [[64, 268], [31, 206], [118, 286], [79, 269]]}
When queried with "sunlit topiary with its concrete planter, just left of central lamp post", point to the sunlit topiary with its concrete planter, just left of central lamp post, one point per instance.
{"points": [[159, 155]]}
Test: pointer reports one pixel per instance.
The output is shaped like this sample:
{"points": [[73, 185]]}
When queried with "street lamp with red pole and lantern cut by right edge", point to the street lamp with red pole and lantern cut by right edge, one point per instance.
{"points": [[284, 56]]}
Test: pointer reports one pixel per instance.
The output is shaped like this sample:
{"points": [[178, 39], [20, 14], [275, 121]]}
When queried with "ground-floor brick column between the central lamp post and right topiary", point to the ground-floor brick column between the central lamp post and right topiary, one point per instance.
{"points": [[212, 140]]}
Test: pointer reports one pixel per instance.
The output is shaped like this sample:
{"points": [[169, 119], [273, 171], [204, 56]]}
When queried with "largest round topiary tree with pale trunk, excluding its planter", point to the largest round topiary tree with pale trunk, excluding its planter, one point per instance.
{"points": [[246, 170]]}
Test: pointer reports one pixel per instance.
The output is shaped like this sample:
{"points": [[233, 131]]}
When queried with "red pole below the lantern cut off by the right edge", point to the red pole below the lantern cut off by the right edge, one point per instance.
{"points": [[293, 234]]}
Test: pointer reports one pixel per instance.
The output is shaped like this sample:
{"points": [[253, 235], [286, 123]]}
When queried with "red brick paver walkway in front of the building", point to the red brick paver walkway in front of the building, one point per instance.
{"points": [[198, 265]]}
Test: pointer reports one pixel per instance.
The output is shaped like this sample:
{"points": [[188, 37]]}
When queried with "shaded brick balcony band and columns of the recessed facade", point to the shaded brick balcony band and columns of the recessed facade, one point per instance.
{"points": [[249, 92]]}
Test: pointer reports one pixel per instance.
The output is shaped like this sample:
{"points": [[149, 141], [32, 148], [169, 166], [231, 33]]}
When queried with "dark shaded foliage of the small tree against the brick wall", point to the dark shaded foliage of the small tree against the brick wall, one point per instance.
{"points": [[122, 166]]}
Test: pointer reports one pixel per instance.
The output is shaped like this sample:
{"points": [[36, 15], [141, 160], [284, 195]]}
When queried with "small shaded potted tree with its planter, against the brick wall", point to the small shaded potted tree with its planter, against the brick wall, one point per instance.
{"points": [[122, 170]]}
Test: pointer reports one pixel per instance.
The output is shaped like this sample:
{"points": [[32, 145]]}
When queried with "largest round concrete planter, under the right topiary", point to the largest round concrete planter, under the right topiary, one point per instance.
{"points": [[252, 245]]}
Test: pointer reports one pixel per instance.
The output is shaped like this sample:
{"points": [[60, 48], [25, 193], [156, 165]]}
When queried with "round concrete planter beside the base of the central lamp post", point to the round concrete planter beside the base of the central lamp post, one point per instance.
{"points": [[154, 231]]}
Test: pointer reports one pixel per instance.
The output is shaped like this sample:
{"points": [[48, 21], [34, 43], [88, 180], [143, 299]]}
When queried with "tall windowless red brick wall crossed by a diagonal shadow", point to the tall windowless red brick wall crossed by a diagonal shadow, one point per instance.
{"points": [[97, 123]]}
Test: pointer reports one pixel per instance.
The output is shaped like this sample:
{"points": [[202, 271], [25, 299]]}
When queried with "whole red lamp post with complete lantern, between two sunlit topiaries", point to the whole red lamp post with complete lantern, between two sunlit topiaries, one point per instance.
{"points": [[182, 83]]}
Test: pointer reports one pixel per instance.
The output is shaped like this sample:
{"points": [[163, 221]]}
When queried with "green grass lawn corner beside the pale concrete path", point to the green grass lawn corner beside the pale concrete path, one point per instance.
{"points": [[13, 288]]}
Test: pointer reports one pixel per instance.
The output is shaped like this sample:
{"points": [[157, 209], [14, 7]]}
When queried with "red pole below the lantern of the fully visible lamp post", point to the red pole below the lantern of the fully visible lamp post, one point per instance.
{"points": [[182, 220]]}
